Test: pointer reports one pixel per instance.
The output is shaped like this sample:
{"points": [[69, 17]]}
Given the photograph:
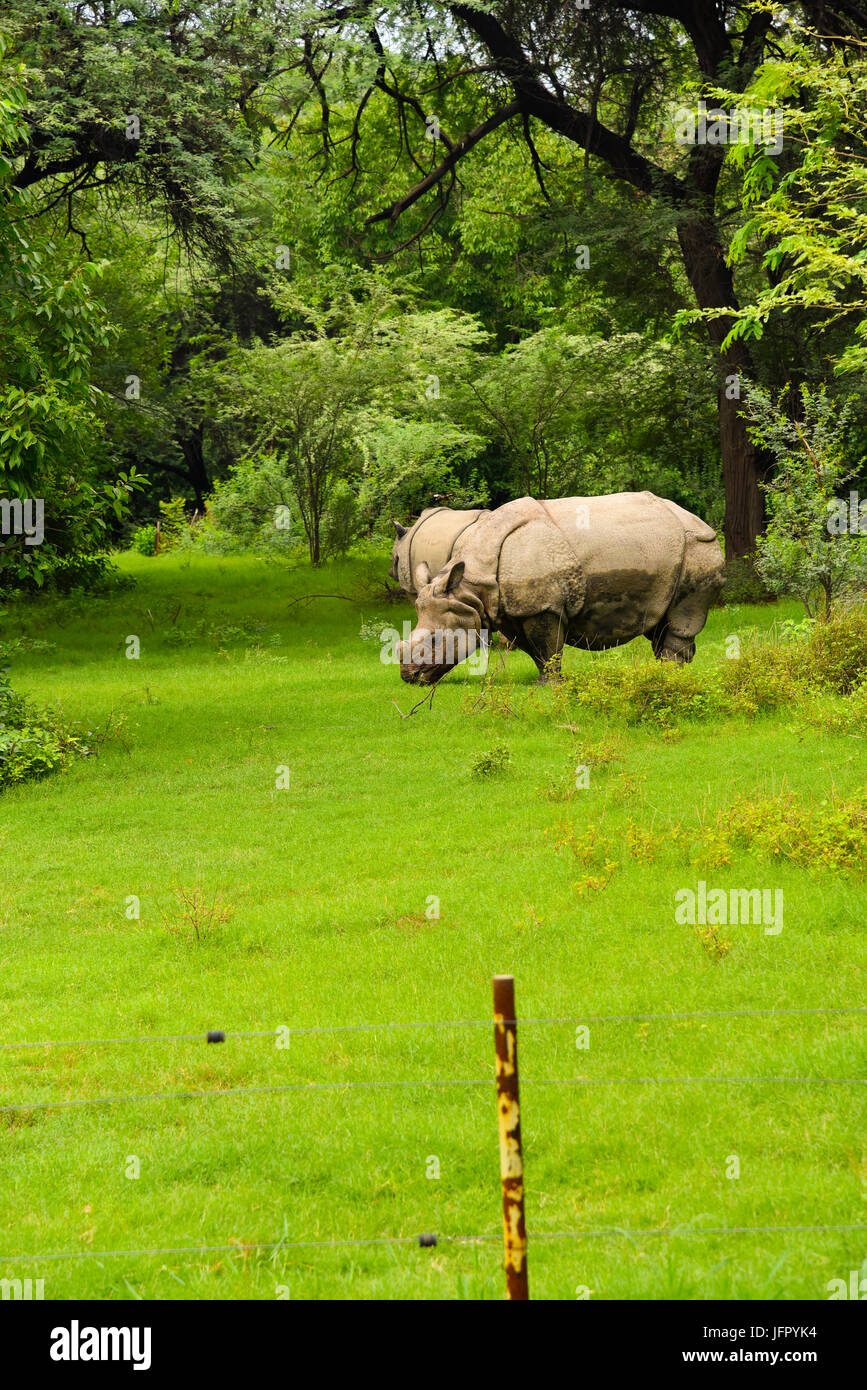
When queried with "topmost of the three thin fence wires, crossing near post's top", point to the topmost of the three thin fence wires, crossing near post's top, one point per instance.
{"points": [[434, 1024]]}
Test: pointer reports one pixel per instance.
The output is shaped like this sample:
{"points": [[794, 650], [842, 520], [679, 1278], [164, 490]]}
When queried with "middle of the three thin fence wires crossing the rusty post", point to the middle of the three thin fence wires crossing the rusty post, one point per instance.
{"points": [[436, 1081]]}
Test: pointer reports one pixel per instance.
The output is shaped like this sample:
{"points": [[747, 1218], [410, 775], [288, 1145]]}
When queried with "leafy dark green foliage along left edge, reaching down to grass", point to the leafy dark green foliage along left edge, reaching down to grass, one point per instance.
{"points": [[51, 326]]}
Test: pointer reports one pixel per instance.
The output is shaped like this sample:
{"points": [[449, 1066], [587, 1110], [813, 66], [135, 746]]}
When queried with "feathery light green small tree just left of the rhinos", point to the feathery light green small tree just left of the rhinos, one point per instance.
{"points": [[320, 405]]}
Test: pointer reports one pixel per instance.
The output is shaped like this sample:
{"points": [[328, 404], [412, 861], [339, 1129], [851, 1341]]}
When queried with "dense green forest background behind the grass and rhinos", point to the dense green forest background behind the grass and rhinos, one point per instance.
{"points": [[273, 275]]}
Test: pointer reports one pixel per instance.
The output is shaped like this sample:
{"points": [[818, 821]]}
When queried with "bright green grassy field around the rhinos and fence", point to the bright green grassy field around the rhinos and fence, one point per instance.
{"points": [[305, 906]]}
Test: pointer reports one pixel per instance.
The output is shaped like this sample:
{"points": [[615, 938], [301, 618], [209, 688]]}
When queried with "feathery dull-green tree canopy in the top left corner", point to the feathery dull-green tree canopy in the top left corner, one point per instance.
{"points": [[95, 74]]}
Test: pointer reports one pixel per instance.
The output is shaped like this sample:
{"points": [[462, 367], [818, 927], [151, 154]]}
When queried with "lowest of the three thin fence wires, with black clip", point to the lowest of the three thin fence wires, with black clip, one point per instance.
{"points": [[434, 1239]]}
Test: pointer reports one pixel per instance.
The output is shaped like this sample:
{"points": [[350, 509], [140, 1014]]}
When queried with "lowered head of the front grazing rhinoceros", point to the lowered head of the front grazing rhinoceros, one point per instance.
{"points": [[449, 625]]}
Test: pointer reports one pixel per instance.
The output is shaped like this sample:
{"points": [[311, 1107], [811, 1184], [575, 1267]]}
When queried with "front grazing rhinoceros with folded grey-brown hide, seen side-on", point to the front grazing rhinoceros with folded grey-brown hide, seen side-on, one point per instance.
{"points": [[579, 572]]}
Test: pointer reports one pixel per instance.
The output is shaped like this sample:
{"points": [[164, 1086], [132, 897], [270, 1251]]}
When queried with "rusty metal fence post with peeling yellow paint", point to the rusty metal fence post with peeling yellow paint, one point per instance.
{"points": [[509, 1120]]}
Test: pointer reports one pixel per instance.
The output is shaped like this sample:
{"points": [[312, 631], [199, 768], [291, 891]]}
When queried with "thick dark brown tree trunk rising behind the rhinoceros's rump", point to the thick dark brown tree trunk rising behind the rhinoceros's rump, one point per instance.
{"points": [[744, 465]]}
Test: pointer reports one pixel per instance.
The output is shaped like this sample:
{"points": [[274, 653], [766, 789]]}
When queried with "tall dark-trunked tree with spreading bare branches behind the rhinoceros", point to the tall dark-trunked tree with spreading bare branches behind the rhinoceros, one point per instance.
{"points": [[605, 79]]}
